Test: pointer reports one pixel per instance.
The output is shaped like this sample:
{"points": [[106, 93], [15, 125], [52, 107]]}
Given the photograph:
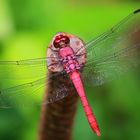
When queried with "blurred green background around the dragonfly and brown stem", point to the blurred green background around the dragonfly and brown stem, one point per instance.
{"points": [[27, 26]]}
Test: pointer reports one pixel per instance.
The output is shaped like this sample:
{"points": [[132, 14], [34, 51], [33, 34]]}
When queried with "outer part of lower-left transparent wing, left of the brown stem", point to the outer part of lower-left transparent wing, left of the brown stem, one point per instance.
{"points": [[22, 95]]}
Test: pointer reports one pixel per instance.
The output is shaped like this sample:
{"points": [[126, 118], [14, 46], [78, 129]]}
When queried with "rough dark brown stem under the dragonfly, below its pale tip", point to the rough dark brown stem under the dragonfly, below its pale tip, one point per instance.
{"points": [[57, 118]]}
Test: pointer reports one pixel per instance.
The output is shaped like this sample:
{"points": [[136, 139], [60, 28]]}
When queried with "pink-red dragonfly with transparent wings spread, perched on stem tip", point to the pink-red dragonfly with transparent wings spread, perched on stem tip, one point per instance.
{"points": [[94, 63]]}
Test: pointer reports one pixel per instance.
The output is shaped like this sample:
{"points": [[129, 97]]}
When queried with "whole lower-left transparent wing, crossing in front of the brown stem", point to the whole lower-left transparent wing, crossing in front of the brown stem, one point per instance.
{"points": [[32, 93]]}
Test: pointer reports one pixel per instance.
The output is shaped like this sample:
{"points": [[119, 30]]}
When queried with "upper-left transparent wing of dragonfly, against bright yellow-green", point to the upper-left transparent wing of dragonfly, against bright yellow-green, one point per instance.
{"points": [[25, 69]]}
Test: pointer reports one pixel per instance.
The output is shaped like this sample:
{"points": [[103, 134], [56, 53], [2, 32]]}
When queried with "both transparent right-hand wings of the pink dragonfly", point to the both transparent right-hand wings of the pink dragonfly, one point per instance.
{"points": [[114, 52]]}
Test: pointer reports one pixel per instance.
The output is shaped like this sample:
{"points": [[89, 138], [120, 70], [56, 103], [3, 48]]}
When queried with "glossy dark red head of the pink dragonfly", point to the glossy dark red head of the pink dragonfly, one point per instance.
{"points": [[61, 41]]}
